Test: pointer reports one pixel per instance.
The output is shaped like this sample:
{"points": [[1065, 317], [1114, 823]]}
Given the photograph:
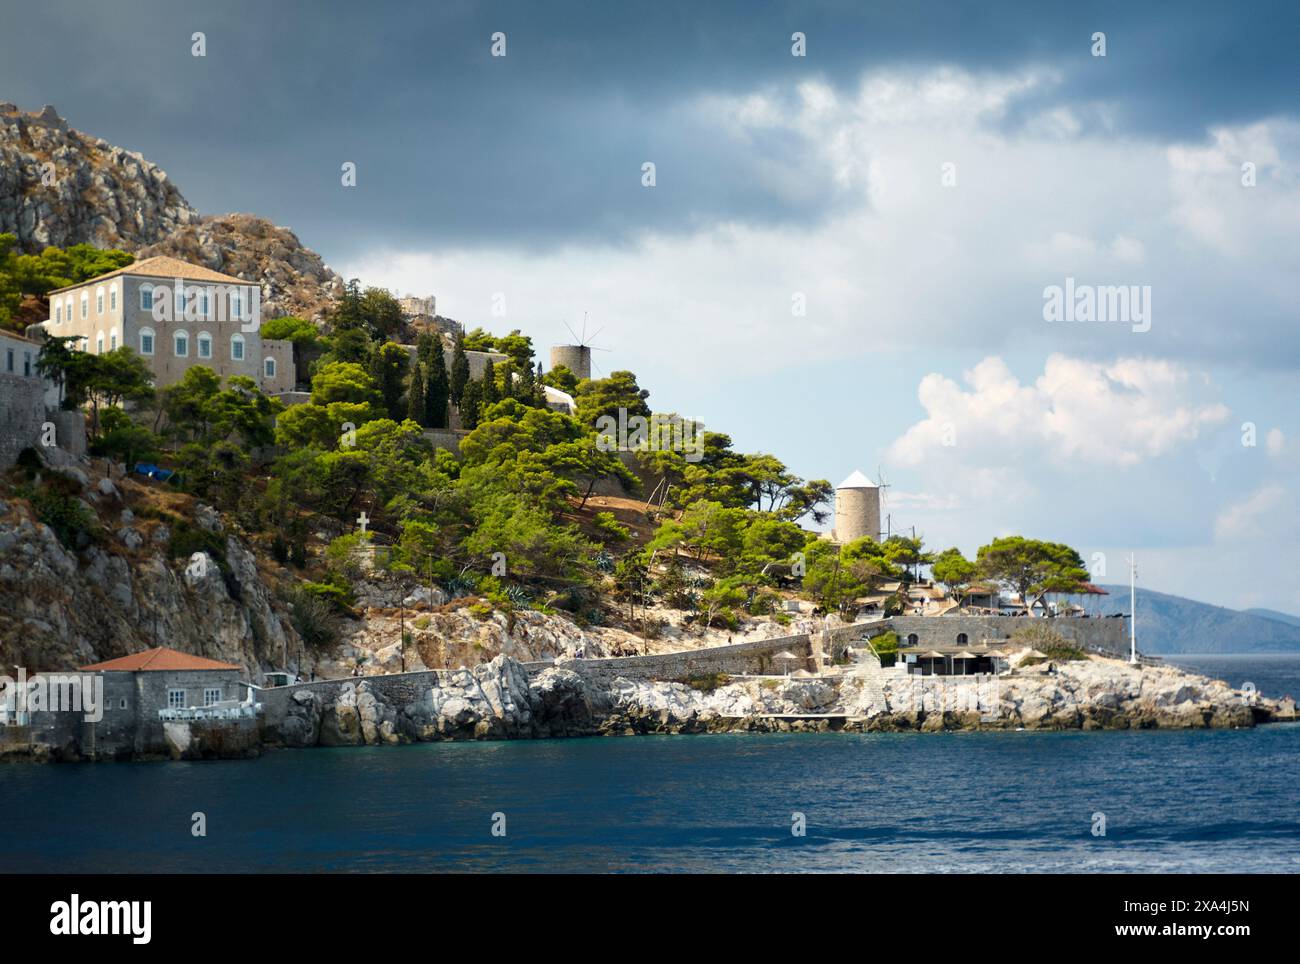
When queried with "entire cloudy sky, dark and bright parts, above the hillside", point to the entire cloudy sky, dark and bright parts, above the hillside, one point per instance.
{"points": [[847, 259]]}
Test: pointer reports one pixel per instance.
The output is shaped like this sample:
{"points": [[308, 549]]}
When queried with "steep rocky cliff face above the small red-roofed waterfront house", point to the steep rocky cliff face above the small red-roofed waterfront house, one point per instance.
{"points": [[124, 592]]}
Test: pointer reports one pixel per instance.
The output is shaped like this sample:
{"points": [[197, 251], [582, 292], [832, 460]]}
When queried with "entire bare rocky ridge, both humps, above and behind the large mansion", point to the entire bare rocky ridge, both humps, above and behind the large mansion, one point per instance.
{"points": [[60, 186]]}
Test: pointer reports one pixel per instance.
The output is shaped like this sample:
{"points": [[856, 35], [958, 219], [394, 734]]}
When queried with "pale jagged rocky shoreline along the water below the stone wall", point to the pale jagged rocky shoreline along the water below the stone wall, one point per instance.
{"points": [[499, 701]]}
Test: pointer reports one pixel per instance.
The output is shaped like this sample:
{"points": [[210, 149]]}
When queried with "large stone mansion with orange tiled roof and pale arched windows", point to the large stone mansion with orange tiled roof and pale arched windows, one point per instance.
{"points": [[175, 315]]}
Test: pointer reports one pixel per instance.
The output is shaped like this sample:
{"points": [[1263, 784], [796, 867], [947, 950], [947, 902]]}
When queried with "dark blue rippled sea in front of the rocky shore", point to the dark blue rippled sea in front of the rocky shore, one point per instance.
{"points": [[960, 802]]}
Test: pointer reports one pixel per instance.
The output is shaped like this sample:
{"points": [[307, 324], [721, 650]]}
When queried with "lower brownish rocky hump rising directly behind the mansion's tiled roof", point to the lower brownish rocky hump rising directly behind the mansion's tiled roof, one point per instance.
{"points": [[294, 279]]}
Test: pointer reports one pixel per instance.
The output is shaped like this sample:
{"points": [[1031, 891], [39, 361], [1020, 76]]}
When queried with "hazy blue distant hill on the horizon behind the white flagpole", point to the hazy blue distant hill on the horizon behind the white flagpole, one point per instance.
{"points": [[1175, 624]]}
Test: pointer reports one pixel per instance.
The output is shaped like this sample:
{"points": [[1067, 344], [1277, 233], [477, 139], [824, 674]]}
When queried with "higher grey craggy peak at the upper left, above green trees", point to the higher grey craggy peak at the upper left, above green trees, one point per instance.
{"points": [[59, 186]]}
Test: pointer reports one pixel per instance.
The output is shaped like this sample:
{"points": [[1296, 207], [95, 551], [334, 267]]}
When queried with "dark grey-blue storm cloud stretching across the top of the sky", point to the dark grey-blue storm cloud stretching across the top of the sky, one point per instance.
{"points": [[544, 147]]}
